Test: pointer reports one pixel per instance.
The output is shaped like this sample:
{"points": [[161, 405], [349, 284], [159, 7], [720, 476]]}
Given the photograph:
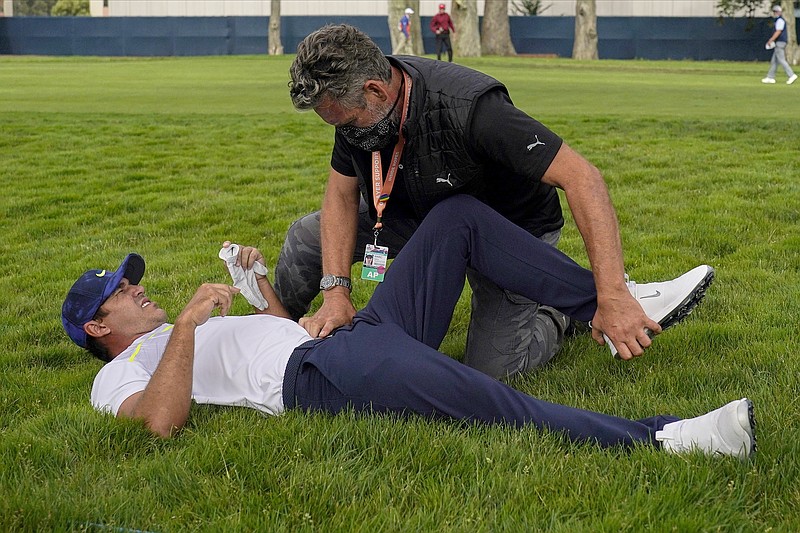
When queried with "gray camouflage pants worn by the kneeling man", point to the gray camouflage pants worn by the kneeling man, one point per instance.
{"points": [[508, 333]]}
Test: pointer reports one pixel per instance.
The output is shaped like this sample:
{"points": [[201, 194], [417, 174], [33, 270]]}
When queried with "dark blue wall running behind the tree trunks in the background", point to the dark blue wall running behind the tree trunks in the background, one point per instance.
{"points": [[619, 37]]}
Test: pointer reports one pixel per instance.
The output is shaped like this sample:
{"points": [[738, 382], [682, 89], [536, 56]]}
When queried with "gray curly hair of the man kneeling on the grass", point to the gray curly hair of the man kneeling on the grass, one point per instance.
{"points": [[336, 60]]}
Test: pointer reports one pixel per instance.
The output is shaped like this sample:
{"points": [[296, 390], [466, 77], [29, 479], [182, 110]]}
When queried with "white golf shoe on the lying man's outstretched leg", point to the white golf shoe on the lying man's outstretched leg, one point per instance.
{"points": [[729, 430]]}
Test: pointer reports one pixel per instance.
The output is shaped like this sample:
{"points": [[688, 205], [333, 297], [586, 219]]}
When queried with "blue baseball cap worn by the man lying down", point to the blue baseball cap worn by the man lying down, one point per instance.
{"points": [[91, 290]]}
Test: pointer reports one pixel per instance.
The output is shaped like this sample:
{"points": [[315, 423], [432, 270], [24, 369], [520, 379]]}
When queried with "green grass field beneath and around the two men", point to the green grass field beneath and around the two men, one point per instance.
{"points": [[169, 157]]}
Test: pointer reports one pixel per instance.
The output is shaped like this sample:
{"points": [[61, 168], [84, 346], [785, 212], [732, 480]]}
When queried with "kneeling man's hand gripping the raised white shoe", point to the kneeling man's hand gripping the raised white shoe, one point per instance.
{"points": [[624, 321]]}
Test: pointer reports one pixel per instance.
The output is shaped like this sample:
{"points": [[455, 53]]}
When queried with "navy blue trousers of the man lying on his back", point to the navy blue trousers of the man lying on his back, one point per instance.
{"points": [[387, 360]]}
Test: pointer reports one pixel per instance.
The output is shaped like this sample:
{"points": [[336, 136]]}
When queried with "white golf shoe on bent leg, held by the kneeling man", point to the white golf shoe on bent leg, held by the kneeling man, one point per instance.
{"points": [[669, 302]]}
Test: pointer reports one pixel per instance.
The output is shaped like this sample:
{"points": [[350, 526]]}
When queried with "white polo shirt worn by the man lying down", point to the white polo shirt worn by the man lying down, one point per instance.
{"points": [[238, 361]]}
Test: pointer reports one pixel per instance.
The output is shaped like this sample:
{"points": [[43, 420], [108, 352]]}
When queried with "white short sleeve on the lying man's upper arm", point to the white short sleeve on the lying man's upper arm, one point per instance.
{"points": [[115, 383]]}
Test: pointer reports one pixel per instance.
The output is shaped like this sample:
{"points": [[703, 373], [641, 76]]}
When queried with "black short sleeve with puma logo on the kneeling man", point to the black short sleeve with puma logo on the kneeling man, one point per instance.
{"points": [[504, 136]]}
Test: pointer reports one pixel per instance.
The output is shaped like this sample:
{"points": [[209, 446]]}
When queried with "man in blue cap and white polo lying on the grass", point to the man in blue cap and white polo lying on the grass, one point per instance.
{"points": [[386, 361]]}
